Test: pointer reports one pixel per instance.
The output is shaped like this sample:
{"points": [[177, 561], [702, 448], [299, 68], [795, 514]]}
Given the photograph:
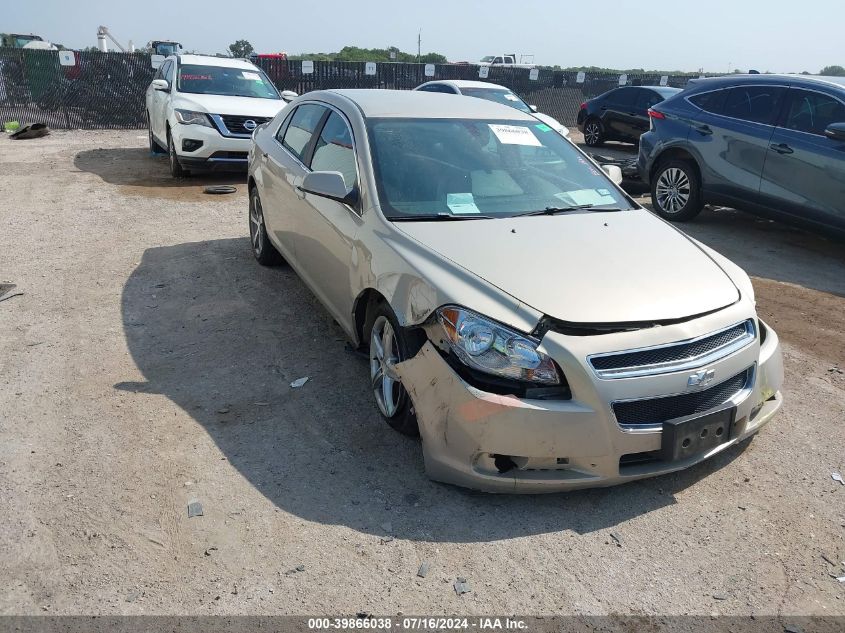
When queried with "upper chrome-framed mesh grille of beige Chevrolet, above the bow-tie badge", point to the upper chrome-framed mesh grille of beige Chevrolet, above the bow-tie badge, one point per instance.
{"points": [[675, 356]]}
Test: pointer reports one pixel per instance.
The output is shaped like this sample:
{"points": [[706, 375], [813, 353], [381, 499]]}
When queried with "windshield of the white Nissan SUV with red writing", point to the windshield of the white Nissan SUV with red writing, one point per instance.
{"points": [[220, 80]]}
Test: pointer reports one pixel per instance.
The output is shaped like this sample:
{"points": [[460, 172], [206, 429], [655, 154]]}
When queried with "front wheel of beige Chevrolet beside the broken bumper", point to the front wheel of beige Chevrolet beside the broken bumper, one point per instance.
{"points": [[387, 350]]}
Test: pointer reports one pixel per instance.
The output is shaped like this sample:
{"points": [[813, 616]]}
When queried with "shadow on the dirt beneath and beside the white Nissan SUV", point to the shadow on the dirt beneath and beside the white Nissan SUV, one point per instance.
{"points": [[138, 172]]}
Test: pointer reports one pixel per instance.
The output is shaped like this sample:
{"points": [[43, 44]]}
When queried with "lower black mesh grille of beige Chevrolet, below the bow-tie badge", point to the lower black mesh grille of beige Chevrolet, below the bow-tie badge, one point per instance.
{"points": [[655, 411]]}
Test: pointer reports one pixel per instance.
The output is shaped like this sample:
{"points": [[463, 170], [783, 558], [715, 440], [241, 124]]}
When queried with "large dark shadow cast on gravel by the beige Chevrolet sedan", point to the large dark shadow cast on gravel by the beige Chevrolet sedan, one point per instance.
{"points": [[223, 338]]}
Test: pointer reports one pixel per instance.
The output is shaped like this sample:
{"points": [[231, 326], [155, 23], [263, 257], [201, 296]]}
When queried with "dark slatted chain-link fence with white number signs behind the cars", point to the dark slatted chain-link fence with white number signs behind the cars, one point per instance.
{"points": [[106, 90]]}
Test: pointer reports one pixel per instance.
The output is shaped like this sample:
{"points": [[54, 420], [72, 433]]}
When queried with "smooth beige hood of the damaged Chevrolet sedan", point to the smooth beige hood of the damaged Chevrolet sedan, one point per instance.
{"points": [[590, 268]]}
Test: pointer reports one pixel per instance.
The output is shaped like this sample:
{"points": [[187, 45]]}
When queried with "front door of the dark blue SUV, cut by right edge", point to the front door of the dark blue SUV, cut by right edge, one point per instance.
{"points": [[804, 174]]}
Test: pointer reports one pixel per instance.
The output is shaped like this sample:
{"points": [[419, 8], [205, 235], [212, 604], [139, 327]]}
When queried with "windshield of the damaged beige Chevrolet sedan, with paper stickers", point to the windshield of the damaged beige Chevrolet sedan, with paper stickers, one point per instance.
{"points": [[460, 168]]}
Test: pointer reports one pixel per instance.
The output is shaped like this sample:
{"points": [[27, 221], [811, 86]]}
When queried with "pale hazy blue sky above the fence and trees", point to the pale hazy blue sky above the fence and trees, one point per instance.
{"points": [[716, 35]]}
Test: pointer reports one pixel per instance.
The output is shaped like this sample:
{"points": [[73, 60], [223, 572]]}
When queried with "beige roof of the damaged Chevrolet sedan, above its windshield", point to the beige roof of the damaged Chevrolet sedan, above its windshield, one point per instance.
{"points": [[421, 105]]}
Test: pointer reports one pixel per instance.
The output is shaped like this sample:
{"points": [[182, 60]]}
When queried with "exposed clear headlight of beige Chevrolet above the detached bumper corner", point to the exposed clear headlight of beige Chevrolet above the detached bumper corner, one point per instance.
{"points": [[487, 346]]}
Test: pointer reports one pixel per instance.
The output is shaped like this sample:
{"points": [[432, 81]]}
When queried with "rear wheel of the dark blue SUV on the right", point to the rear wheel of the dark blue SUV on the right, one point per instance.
{"points": [[676, 191]]}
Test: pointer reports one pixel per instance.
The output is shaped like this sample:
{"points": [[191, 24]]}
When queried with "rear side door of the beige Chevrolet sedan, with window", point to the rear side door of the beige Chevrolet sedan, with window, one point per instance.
{"points": [[283, 170]]}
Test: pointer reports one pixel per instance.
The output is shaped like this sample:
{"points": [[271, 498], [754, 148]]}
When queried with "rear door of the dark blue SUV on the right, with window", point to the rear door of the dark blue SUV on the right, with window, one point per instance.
{"points": [[732, 139]]}
